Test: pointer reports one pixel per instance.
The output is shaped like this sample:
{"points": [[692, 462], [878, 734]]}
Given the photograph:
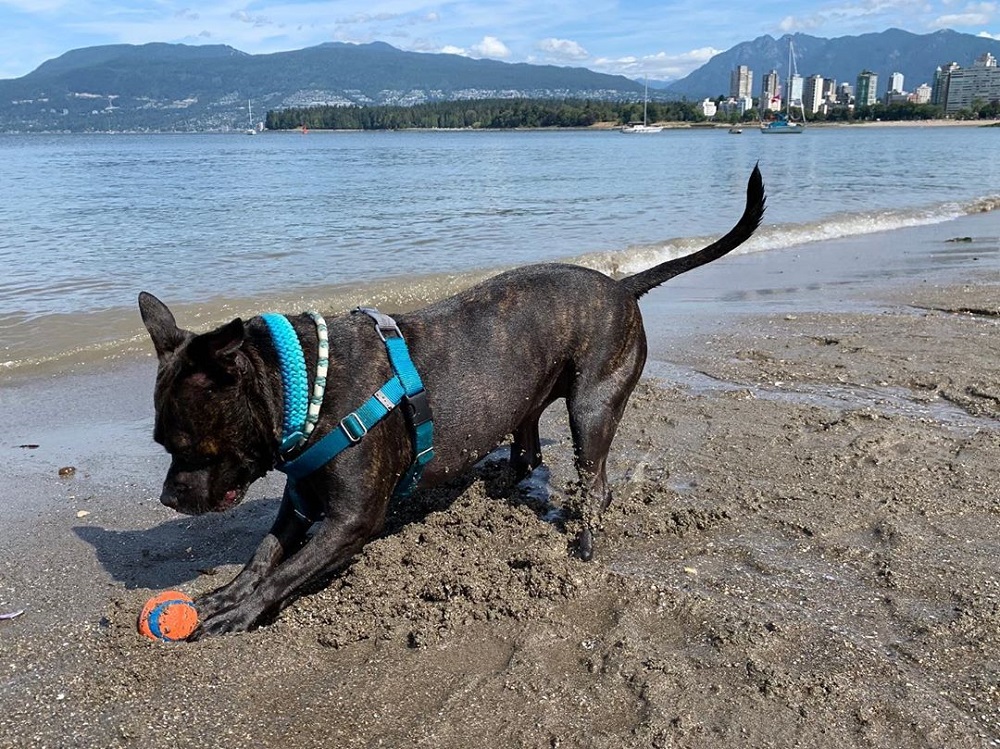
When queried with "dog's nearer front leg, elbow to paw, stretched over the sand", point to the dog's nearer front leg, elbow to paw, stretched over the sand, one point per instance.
{"points": [[336, 541]]}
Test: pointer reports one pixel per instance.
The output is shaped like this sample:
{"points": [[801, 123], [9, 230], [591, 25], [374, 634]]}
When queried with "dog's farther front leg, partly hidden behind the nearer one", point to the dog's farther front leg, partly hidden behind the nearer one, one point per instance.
{"points": [[287, 533]]}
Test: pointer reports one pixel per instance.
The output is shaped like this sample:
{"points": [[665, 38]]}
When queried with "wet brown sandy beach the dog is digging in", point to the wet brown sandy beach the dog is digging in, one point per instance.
{"points": [[802, 550]]}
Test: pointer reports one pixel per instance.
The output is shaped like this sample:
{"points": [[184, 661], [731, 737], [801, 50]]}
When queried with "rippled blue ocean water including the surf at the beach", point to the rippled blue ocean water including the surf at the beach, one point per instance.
{"points": [[222, 225]]}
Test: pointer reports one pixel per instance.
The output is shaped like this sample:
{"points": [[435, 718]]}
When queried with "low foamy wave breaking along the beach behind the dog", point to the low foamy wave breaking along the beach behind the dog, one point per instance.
{"points": [[33, 346]]}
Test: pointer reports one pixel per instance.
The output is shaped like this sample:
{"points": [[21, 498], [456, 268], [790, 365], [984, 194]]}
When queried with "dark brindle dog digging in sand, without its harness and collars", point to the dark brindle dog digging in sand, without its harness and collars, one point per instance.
{"points": [[492, 359]]}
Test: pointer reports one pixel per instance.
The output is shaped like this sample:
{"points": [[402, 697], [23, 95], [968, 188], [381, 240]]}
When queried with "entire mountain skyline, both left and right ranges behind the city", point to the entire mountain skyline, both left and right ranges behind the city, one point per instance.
{"points": [[215, 87]]}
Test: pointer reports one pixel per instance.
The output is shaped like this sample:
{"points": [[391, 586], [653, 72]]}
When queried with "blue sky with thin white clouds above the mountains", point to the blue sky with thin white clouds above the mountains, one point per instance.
{"points": [[637, 38]]}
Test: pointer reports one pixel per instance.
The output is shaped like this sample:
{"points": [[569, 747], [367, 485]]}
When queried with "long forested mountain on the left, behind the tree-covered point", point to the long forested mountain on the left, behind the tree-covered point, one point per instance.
{"points": [[175, 86]]}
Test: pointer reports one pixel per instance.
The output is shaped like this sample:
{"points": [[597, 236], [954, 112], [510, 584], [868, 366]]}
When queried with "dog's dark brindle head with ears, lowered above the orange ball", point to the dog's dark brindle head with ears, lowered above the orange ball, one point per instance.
{"points": [[206, 416]]}
